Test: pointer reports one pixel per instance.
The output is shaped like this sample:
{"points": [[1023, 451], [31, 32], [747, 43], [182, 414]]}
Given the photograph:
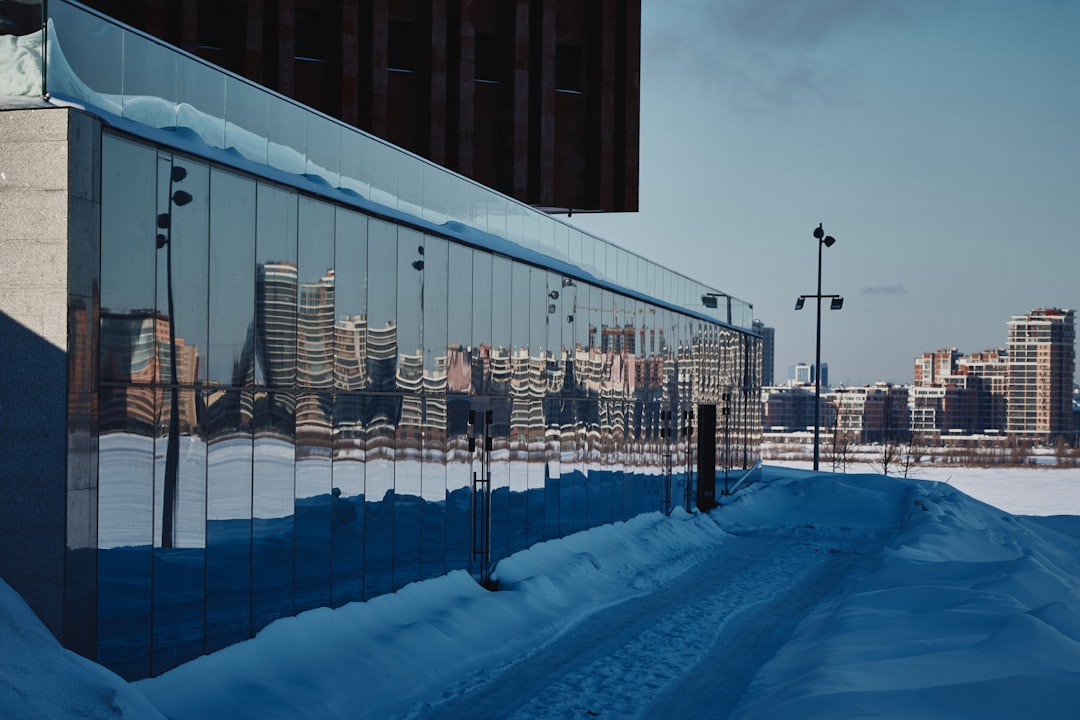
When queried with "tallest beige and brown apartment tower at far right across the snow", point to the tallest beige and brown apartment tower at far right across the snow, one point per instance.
{"points": [[1039, 374]]}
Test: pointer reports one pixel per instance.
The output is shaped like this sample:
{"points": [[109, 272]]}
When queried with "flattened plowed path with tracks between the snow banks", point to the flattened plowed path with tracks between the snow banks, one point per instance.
{"points": [[688, 649]]}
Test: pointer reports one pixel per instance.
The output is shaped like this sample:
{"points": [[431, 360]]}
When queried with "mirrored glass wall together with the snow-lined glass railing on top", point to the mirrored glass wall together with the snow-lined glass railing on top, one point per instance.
{"points": [[314, 393]]}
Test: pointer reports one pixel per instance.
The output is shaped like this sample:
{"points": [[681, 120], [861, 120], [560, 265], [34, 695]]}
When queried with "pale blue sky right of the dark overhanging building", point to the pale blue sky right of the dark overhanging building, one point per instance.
{"points": [[939, 142]]}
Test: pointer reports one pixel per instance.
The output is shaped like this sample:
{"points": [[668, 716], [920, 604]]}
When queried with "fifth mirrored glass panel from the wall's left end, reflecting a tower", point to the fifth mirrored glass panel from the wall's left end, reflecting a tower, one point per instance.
{"points": [[315, 374]]}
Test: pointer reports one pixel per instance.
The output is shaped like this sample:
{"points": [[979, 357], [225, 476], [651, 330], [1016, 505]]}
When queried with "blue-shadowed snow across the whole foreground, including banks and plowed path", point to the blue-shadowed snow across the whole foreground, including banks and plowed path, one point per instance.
{"points": [[806, 595]]}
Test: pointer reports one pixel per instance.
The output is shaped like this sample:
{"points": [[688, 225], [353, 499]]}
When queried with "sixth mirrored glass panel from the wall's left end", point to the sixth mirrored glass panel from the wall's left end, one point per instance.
{"points": [[350, 382]]}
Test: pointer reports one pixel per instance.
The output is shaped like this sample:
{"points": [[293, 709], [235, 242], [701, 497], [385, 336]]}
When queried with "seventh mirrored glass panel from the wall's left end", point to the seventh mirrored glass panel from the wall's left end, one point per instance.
{"points": [[383, 407]]}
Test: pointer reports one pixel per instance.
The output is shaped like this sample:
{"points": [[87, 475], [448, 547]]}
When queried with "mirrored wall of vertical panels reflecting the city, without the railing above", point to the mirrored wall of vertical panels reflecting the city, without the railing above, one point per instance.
{"points": [[337, 405]]}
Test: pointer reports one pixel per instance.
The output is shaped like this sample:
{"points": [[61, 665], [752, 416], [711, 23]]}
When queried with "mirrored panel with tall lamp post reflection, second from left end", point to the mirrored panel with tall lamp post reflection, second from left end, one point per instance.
{"points": [[181, 461]]}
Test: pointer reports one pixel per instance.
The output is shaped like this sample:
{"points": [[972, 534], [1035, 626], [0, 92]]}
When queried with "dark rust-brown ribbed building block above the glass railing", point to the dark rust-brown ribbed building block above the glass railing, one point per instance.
{"points": [[538, 100]]}
